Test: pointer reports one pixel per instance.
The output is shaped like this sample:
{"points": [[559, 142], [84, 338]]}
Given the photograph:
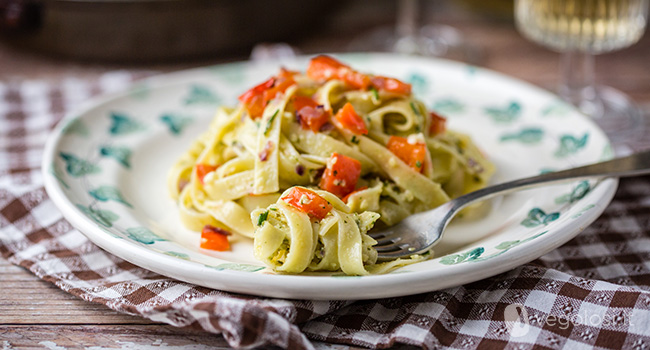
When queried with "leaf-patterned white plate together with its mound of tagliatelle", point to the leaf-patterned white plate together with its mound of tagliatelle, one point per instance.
{"points": [[269, 178]]}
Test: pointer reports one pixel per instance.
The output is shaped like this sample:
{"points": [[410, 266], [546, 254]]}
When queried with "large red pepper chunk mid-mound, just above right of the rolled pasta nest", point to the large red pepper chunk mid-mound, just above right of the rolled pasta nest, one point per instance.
{"points": [[341, 175]]}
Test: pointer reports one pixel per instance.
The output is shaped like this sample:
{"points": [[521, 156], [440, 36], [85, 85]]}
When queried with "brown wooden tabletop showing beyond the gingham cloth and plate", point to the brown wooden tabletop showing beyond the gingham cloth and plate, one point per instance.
{"points": [[36, 314]]}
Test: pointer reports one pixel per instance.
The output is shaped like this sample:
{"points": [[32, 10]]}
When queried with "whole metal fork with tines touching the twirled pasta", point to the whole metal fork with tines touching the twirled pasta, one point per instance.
{"points": [[420, 232]]}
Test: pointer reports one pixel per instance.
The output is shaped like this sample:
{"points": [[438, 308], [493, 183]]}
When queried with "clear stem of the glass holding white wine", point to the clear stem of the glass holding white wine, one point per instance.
{"points": [[578, 85]]}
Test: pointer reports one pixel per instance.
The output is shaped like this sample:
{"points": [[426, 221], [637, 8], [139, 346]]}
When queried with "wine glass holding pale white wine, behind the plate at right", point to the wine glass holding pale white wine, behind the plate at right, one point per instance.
{"points": [[580, 29]]}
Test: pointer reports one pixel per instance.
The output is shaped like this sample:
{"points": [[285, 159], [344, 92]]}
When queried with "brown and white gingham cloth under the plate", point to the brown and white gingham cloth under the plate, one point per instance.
{"points": [[593, 292]]}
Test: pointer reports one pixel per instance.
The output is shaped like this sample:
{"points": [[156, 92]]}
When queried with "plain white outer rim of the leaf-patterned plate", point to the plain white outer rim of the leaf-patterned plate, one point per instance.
{"points": [[355, 288]]}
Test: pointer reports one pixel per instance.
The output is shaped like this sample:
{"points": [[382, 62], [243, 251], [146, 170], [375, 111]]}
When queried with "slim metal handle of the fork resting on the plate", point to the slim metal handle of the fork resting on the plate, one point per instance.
{"points": [[632, 165]]}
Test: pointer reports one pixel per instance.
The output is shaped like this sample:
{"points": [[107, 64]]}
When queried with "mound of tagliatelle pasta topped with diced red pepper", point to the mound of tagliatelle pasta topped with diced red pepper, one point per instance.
{"points": [[307, 164]]}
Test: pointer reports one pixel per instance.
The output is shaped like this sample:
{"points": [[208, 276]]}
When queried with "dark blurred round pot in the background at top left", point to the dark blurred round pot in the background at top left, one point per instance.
{"points": [[155, 30]]}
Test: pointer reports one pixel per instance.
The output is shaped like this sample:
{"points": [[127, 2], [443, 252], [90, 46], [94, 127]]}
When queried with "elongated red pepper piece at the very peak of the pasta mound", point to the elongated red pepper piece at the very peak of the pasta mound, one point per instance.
{"points": [[327, 68]]}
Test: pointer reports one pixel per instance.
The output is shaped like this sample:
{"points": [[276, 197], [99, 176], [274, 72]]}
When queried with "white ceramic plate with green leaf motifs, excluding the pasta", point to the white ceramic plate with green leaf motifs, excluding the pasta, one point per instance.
{"points": [[105, 168]]}
